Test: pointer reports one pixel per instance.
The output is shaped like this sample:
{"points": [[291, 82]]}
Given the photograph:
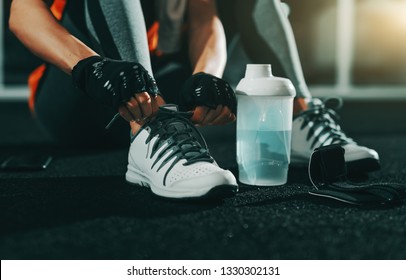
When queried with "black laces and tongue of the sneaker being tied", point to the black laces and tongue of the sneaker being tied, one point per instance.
{"points": [[183, 140]]}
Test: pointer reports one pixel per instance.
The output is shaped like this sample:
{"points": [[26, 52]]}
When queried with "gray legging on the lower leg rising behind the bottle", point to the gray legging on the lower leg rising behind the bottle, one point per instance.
{"points": [[267, 37]]}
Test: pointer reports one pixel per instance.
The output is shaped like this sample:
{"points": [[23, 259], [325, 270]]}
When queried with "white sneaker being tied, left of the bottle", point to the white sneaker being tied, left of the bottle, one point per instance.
{"points": [[170, 156]]}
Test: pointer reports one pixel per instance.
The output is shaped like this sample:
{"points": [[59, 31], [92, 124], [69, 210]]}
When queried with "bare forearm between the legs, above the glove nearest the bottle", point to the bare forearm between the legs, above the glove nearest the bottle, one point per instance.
{"points": [[207, 43]]}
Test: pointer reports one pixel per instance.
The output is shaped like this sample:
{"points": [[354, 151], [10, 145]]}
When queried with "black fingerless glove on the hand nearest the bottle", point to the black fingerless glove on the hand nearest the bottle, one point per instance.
{"points": [[203, 89]]}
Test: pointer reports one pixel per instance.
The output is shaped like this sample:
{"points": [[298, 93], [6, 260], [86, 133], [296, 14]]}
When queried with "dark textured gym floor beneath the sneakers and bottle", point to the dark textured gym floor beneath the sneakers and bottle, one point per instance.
{"points": [[80, 207]]}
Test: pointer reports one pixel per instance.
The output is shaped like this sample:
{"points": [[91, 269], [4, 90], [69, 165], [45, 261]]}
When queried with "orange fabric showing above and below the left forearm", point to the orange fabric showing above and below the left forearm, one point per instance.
{"points": [[57, 9]]}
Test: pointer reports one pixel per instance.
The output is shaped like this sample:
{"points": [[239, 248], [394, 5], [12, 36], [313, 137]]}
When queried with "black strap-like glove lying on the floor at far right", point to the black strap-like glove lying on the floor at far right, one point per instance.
{"points": [[328, 174]]}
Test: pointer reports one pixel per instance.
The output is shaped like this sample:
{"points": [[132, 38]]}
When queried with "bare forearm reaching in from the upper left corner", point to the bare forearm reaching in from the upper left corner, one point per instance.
{"points": [[33, 24]]}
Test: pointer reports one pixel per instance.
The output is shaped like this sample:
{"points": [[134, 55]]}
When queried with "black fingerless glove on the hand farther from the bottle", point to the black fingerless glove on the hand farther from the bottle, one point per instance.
{"points": [[112, 82]]}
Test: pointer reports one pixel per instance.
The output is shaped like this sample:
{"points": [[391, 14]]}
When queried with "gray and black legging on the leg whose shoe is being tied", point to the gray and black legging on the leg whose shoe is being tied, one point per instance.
{"points": [[117, 30]]}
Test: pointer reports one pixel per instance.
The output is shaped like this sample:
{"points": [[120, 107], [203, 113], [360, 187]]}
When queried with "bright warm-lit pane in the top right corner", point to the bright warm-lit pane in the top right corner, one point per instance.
{"points": [[380, 39]]}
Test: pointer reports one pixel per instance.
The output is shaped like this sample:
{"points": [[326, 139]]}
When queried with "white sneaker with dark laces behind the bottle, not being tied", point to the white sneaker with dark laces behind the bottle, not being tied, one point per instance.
{"points": [[317, 127]]}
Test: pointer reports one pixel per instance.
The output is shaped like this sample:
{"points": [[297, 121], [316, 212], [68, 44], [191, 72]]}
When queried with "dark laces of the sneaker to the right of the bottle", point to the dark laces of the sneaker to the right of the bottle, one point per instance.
{"points": [[323, 119]]}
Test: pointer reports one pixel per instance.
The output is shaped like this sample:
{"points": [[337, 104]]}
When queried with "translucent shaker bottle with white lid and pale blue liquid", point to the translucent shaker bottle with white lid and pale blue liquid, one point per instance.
{"points": [[264, 126]]}
